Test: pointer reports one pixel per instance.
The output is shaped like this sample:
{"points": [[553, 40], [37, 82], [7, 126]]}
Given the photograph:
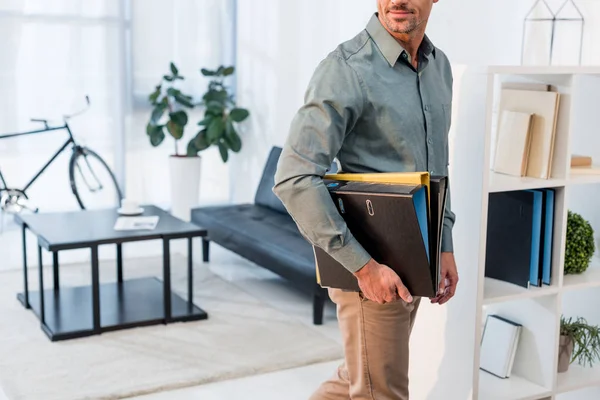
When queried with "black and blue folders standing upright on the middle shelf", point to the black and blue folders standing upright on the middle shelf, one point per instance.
{"points": [[519, 237]]}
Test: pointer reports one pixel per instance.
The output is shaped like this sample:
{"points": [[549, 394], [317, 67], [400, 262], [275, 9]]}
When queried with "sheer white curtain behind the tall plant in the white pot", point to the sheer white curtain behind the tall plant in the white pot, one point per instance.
{"points": [[193, 34]]}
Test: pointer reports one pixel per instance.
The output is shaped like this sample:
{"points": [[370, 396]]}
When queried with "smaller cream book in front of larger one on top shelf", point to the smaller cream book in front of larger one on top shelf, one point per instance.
{"points": [[513, 143]]}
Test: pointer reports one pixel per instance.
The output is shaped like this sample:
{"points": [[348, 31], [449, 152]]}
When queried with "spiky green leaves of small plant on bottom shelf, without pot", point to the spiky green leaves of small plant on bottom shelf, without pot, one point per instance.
{"points": [[585, 339]]}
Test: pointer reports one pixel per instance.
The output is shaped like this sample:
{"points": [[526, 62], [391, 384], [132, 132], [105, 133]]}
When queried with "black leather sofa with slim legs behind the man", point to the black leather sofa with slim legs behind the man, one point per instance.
{"points": [[264, 233]]}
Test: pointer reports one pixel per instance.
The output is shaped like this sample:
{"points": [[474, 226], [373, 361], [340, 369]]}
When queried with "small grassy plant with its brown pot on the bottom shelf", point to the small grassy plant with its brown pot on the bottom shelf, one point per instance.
{"points": [[579, 341]]}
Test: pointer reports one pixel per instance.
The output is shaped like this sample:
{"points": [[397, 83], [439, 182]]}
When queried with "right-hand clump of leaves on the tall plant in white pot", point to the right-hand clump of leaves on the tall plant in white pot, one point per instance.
{"points": [[221, 115]]}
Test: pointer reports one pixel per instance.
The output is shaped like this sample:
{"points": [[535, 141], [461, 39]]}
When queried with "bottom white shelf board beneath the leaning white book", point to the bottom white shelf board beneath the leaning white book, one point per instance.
{"points": [[514, 388]]}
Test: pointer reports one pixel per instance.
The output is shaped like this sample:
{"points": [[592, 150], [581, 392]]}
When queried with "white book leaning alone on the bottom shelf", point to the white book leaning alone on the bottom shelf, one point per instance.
{"points": [[499, 345]]}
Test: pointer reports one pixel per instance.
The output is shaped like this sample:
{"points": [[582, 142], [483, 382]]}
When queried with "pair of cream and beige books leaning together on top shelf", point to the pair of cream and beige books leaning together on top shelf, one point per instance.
{"points": [[526, 133]]}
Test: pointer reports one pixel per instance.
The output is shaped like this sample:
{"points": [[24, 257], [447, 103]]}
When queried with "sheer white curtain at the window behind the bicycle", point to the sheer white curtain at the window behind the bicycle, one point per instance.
{"points": [[53, 53]]}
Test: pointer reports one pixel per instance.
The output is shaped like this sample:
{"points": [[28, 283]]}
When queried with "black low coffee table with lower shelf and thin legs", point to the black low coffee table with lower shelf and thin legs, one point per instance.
{"points": [[73, 312]]}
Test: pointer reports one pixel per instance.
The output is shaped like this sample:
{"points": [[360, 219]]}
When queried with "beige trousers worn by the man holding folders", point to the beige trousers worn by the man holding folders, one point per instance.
{"points": [[376, 349]]}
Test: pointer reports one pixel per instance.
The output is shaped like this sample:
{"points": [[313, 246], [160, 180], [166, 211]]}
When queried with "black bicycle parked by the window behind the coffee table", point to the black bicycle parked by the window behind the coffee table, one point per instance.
{"points": [[14, 200]]}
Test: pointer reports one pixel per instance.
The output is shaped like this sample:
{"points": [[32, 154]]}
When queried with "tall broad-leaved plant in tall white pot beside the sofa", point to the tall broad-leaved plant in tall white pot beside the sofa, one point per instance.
{"points": [[218, 127]]}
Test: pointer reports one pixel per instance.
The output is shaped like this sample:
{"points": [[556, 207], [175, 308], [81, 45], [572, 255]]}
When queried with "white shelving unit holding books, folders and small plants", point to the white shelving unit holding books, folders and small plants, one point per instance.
{"points": [[538, 309]]}
